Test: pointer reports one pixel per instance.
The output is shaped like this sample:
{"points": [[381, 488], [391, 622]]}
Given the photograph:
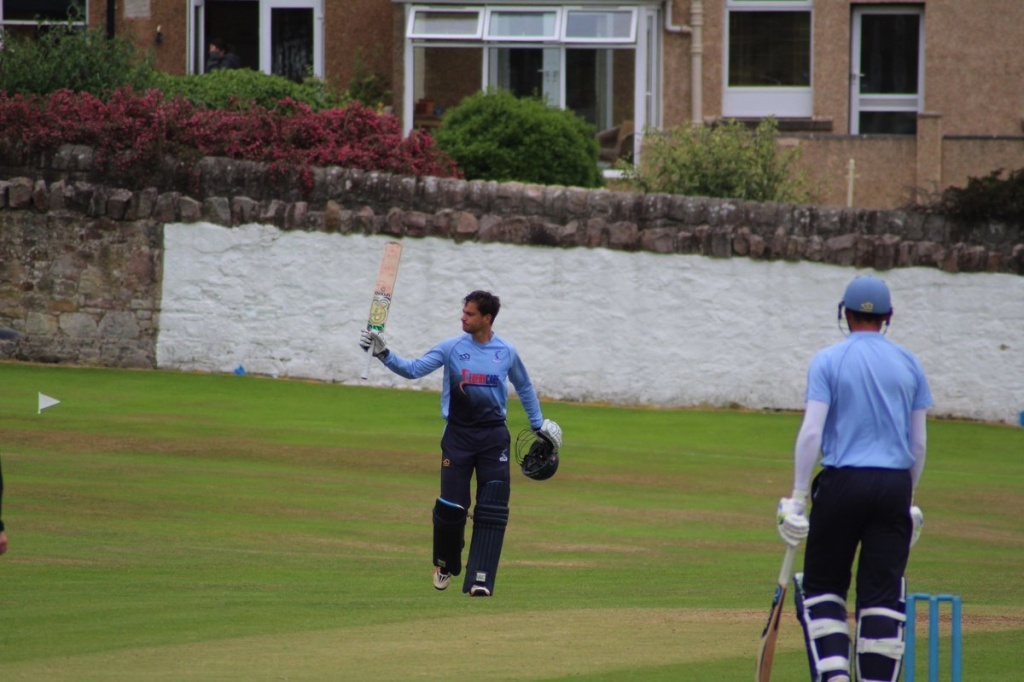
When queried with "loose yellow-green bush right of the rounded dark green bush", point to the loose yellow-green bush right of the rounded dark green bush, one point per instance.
{"points": [[728, 160]]}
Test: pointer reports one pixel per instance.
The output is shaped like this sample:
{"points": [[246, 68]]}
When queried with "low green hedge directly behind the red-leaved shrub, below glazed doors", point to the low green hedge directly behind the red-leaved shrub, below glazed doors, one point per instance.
{"points": [[231, 89]]}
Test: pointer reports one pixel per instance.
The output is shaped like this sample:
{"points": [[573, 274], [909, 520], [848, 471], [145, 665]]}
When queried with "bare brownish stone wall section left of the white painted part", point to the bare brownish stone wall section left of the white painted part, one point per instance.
{"points": [[83, 290]]}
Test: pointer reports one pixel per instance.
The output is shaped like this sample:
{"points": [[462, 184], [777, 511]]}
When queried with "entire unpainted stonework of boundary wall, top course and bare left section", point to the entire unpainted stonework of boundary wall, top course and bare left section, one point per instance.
{"points": [[80, 260]]}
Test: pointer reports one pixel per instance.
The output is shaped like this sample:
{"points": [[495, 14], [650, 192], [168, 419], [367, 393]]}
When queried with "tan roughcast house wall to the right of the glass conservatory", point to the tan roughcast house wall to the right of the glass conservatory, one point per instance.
{"points": [[973, 101]]}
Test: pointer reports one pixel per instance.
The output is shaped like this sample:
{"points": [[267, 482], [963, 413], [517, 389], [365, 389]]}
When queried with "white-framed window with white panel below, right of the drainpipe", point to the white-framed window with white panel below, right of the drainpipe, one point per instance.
{"points": [[769, 59]]}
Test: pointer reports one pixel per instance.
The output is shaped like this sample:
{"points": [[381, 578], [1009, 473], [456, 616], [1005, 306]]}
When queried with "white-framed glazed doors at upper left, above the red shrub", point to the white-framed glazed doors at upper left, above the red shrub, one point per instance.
{"points": [[283, 37]]}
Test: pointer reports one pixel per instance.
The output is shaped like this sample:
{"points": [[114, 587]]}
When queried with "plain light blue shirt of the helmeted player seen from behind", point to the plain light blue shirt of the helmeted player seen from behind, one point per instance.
{"points": [[871, 386]]}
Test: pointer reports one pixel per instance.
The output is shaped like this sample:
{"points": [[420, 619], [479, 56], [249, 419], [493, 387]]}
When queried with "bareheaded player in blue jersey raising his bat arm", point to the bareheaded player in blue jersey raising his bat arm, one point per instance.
{"points": [[478, 366]]}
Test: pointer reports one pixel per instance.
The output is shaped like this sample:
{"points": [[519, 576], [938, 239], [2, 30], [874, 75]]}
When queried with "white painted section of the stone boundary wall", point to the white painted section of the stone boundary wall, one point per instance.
{"points": [[592, 325]]}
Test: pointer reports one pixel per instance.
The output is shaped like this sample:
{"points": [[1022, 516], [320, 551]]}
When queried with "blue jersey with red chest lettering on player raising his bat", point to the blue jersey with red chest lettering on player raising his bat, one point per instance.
{"points": [[476, 393]]}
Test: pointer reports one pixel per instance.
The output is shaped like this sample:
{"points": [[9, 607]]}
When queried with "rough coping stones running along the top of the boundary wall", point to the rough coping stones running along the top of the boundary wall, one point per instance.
{"points": [[349, 201]]}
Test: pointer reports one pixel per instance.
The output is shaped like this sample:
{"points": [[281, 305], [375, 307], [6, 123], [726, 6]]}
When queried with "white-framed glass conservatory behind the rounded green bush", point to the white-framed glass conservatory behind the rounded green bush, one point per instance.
{"points": [[600, 62]]}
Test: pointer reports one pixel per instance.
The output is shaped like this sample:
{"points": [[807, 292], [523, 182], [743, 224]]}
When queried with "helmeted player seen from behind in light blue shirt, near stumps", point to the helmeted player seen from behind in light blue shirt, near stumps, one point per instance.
{"points": [[867, 402]]}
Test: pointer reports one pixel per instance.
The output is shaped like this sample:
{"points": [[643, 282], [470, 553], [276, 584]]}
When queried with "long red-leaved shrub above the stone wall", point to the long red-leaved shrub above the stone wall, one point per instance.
{"points": [[132, 133]]}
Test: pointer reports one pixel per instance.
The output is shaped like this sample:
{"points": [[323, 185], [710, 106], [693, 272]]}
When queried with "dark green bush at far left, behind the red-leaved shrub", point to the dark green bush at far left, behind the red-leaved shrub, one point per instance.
{"points": [[65, 57]]}
